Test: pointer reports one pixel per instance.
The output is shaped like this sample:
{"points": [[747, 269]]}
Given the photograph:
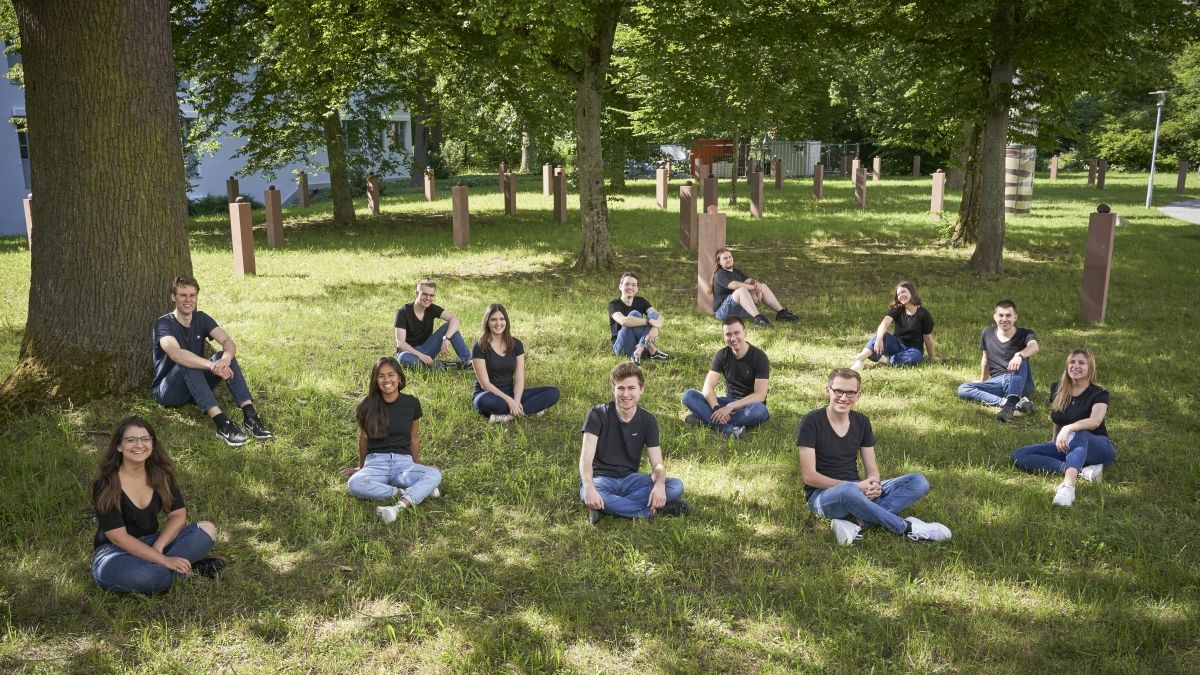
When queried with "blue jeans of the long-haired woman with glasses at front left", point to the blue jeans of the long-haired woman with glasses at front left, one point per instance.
{"points": [[127, 574]]}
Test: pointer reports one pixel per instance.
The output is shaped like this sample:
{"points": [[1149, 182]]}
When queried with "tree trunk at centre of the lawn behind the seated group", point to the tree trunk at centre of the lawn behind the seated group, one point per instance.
{"points": [[596, 252]]}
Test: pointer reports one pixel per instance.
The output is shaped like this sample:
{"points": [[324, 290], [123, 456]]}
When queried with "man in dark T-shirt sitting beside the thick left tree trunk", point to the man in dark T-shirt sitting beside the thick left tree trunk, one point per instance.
{"points": [[183, 375]]}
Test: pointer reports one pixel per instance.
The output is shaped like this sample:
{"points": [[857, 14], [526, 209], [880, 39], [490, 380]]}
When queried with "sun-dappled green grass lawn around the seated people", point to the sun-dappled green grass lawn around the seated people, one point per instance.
{"points": [[503, 574]]}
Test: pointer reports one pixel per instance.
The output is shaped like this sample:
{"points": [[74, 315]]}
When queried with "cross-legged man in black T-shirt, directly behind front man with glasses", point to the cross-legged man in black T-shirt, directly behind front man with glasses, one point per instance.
{"points": [[747, 373]]}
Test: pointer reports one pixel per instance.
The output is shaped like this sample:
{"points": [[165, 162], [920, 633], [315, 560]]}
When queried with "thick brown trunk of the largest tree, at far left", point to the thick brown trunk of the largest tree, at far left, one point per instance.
{"points": [[110, 199]]}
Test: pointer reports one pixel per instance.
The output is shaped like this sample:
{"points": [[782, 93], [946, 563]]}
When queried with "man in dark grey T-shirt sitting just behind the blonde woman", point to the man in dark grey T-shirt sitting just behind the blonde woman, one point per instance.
{"points": [[1006, 377]]}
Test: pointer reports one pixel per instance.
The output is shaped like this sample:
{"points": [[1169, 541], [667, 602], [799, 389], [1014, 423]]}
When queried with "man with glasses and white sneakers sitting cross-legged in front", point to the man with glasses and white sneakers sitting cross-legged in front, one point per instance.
{"points": [[831, 441]]}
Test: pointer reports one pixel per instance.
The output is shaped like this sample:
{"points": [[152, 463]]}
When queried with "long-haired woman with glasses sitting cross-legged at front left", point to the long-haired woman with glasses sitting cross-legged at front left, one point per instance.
{"points": [[134, 485]]}
